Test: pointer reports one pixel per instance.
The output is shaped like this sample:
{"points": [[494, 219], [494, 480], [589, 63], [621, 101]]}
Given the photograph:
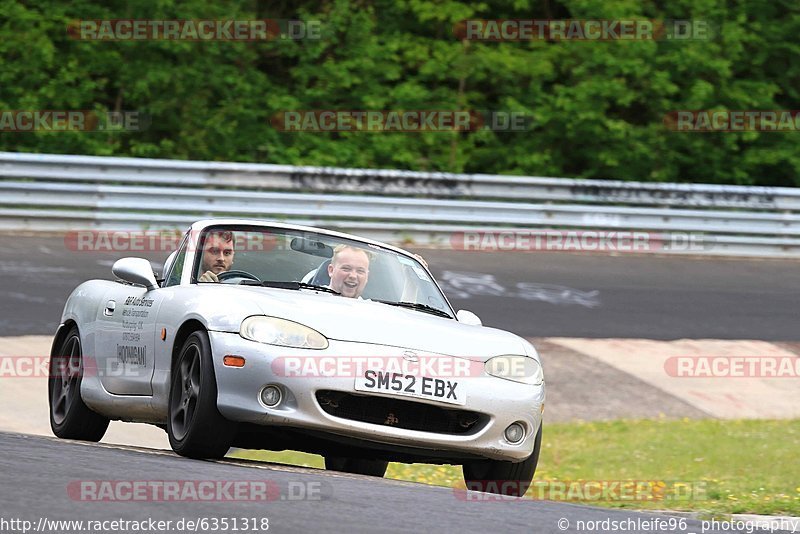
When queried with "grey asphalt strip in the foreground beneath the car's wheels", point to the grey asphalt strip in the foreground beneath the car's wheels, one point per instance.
{"points": [[45, 488]]}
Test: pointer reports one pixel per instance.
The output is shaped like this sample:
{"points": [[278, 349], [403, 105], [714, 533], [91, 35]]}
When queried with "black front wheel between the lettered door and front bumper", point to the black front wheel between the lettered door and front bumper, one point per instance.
{"points": [[195, 427]]}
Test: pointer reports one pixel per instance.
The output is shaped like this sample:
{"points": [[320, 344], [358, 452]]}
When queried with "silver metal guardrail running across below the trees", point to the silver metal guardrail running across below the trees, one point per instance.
{"points": [[50, 192]]}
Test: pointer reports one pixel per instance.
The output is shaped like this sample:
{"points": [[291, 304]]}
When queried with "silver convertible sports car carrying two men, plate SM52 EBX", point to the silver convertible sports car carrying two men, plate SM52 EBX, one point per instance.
{"points": [[264, 335]]}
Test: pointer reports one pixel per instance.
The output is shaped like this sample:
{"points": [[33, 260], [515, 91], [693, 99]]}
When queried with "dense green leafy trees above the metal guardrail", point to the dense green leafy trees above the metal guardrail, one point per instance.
{"points": [[597, 108]]}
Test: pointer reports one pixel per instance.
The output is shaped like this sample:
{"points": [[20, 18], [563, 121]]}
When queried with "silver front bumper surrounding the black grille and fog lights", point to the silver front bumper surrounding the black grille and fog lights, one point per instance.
{"points": [[501, 402]]}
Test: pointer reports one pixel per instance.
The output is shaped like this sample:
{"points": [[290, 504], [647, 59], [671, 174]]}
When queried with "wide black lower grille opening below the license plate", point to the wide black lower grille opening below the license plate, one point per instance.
{"points": [[400, 413]]}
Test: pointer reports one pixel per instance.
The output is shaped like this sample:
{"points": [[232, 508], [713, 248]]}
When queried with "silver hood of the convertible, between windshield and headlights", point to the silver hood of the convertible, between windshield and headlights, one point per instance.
{"points": [[366, 321]]}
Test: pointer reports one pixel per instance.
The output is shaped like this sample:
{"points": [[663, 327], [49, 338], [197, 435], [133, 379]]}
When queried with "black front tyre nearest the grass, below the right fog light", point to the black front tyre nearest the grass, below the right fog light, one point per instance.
{"points": [[504, 478]]}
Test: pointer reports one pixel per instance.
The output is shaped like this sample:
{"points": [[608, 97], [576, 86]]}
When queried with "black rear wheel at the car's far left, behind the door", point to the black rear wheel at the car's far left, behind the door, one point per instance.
{"points": [[70, 418]]}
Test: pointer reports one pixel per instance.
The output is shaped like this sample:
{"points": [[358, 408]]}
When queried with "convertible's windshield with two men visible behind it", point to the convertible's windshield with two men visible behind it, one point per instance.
{"points": [[276, 257]]}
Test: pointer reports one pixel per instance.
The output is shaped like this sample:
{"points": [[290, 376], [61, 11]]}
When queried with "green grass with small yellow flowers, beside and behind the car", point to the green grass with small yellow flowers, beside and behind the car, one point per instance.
{"points": [[694, 465]]}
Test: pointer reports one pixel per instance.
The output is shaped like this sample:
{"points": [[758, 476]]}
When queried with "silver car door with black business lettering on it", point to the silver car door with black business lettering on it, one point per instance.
{"points": [[125, 339]]}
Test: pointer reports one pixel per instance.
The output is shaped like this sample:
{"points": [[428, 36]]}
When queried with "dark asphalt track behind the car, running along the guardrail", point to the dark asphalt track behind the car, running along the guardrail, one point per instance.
{"points": [[531, 294]]}
